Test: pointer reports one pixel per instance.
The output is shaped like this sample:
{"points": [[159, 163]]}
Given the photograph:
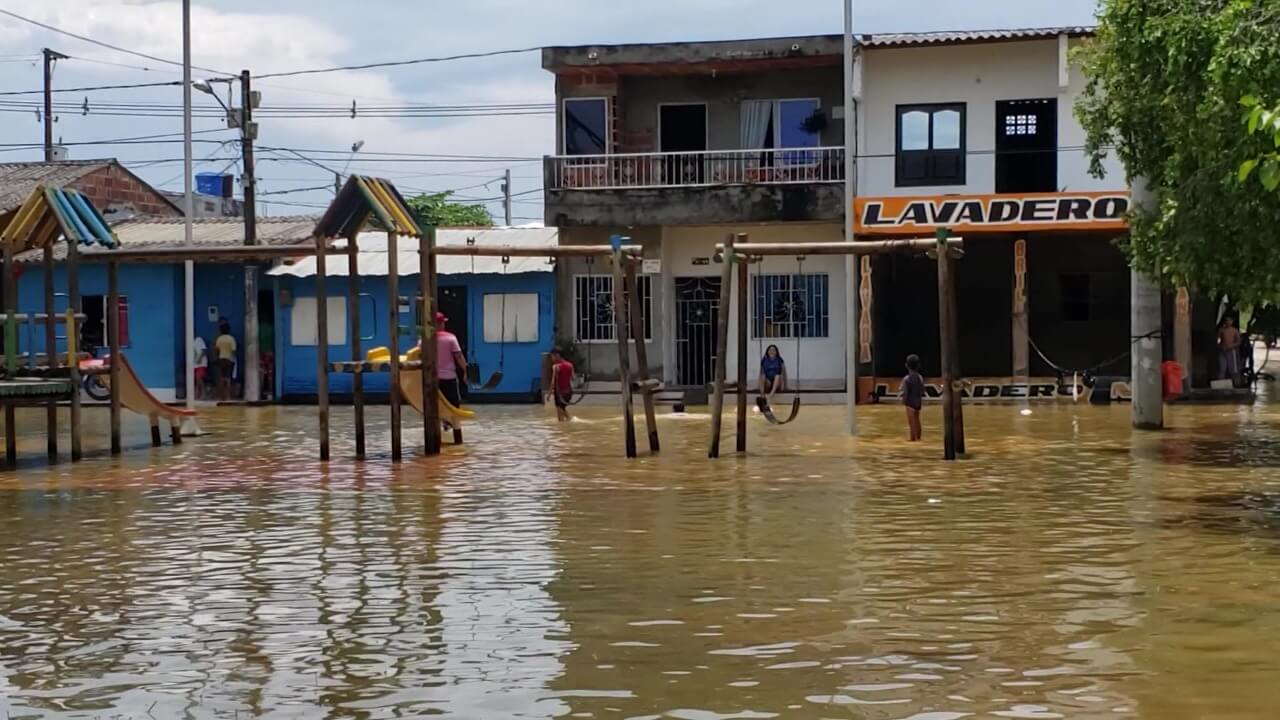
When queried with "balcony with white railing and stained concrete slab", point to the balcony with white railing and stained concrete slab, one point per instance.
{"points": [[711, 186]]}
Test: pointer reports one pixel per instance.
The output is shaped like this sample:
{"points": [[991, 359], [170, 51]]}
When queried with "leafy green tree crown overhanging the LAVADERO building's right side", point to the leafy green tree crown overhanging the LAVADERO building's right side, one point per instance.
{"points": [[1165, 83]]}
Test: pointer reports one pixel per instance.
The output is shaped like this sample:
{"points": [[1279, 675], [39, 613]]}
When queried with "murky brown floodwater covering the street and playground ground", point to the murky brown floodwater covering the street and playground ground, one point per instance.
{"points": [[1071, 568]]}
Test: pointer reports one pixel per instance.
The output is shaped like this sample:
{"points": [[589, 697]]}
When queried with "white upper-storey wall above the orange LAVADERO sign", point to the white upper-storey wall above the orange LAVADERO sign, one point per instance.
{"points": [[979, 76]]}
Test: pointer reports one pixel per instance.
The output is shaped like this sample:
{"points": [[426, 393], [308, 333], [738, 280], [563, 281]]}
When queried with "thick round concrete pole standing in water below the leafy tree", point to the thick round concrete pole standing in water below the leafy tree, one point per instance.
{"points": [[1148, 344]]}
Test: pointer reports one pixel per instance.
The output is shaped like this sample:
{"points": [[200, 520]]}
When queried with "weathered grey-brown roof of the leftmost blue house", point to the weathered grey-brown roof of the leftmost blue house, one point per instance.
{"points": [[170, 234]]}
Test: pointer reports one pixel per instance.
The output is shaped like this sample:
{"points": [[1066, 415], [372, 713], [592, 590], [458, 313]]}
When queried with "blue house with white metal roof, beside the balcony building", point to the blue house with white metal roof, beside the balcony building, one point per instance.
{"points": [[504, 313]]}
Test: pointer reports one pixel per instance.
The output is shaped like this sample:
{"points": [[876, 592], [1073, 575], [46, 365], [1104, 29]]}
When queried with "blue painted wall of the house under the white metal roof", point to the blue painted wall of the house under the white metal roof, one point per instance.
{"points": [[296, 366]]}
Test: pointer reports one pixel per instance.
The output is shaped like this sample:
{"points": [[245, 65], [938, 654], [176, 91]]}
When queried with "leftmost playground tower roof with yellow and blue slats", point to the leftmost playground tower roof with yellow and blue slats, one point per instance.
{"points": [[53, 212]]}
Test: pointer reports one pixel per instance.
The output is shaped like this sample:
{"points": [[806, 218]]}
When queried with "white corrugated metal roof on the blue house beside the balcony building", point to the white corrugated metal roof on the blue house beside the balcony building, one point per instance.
{"points": [[372, 259]]}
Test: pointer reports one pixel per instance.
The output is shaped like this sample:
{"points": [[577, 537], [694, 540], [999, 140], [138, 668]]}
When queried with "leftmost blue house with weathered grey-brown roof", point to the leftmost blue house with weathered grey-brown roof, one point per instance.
{"points": [[152, 295]]}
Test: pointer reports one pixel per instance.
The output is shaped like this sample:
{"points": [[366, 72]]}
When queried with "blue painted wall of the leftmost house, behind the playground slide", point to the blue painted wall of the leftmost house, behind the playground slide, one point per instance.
{"points": [[154, 297]]}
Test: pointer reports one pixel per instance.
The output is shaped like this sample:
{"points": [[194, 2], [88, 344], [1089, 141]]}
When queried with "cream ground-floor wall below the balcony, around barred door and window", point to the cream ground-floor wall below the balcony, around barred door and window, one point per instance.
{"points": [[821, 362]]}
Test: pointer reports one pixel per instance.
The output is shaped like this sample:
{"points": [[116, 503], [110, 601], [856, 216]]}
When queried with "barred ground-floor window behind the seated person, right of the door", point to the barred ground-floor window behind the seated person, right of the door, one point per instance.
{"points": [[790, 306]]}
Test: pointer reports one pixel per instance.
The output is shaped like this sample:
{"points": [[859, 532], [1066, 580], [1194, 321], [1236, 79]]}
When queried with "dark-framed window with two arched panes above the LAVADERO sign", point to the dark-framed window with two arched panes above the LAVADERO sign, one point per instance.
{"points": [[931, 145]]}
